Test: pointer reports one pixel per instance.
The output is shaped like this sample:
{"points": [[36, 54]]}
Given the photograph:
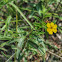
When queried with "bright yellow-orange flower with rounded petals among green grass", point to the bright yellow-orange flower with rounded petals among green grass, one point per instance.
{"points": [[51, 27]]}
